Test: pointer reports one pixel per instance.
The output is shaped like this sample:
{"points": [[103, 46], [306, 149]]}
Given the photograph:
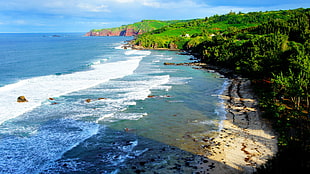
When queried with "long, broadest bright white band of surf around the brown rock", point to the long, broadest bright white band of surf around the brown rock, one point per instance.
{"points": [[38, 89]]}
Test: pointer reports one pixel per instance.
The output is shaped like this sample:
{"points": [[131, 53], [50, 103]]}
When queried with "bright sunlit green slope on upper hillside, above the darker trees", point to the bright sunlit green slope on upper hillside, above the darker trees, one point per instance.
{"points": [[206, 27]]}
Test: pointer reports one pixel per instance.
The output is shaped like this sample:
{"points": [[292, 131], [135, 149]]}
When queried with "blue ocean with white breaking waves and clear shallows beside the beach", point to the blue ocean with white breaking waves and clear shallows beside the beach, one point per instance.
{"points": [[94, 107]]}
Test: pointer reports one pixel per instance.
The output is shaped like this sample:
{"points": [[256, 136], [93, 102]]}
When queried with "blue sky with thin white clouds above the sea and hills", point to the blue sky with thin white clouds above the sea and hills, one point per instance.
{"points": [[48, 16]]}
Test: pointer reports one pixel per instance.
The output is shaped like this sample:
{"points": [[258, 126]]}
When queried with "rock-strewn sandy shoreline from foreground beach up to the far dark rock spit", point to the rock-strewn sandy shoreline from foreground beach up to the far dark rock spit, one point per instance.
{"points": [[246, 140]]}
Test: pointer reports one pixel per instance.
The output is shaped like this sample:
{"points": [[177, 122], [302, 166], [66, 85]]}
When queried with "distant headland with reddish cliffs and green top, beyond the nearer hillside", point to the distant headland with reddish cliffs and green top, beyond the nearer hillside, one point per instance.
{"points": [[132, 29]]}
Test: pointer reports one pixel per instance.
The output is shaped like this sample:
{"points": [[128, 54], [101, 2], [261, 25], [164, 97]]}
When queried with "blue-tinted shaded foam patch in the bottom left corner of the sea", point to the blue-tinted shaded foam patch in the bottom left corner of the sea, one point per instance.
{"points": [[31, 155]]}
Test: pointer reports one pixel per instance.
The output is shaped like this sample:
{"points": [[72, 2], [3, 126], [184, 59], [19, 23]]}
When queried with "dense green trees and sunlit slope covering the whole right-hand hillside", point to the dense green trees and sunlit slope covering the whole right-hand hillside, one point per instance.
{"points": [[271, 48]]}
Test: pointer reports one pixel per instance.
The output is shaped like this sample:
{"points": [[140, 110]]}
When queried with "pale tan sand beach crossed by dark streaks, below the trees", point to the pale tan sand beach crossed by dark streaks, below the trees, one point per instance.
{"points": [[246, 140]]}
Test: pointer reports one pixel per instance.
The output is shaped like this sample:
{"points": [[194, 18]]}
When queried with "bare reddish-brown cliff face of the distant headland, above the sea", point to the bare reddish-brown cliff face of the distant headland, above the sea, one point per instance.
{"points": [[124, 32]]}
